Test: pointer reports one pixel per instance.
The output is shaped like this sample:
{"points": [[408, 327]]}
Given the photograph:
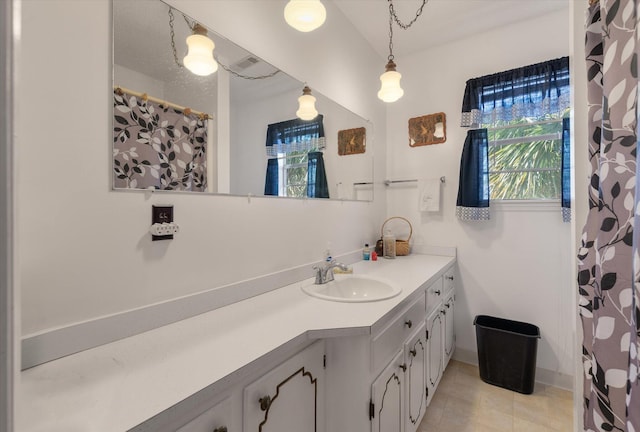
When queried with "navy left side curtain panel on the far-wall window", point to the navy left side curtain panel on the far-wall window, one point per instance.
{"points": [[473, 188]]}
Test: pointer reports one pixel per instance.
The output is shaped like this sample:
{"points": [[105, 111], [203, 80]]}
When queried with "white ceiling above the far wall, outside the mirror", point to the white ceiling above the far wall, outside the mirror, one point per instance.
{"points": [[442, 21]]}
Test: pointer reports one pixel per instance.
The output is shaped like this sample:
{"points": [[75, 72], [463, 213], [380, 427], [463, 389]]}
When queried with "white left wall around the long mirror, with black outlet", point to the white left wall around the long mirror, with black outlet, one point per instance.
{"points": [[84, 250]]}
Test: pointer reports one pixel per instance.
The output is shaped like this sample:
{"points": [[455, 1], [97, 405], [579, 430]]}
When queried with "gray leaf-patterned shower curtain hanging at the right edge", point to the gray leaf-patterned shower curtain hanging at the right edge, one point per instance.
{"points": [[608, 259]]}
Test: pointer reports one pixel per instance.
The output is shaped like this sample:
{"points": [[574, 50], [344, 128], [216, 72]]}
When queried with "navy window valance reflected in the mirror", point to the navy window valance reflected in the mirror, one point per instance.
{"points": [[295, 135]]}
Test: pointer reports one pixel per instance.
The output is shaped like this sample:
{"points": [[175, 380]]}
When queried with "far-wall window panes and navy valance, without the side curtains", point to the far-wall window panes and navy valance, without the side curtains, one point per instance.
{"points": [[522, 110]]}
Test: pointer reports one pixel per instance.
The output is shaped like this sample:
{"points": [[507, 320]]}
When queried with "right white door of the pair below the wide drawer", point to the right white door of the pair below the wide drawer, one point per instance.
{"points": [[415, 355]]}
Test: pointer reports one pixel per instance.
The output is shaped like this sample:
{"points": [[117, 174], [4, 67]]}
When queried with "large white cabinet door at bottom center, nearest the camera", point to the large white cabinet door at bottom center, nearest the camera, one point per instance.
{"points": [[289, 397]]}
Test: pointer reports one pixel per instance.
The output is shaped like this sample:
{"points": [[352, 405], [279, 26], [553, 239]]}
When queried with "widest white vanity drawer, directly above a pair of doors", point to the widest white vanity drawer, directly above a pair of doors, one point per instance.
{"points": [[386, 343]]}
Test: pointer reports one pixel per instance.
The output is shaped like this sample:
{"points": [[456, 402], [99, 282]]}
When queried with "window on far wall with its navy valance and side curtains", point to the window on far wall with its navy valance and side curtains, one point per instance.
{"points": [[518, 146]]}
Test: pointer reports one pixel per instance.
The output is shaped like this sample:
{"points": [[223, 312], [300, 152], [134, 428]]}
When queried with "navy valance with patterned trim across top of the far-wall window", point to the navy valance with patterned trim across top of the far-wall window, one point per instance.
{"points": [[529, 91]]}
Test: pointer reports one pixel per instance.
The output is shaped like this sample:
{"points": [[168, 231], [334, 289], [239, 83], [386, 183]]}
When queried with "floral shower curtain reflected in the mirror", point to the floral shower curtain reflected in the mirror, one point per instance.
{"points": [[156, 147]]}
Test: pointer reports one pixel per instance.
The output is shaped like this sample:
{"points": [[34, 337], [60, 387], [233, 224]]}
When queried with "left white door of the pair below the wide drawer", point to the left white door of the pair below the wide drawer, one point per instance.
{"points": [[386, 409]]}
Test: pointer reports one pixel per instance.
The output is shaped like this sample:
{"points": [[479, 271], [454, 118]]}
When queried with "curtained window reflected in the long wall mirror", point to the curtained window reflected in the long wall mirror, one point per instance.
{"points": [[296, 167]]}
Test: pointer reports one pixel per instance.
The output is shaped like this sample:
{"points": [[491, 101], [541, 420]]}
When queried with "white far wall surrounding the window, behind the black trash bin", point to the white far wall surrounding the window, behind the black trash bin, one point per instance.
{"points": [[518, 264]]}
